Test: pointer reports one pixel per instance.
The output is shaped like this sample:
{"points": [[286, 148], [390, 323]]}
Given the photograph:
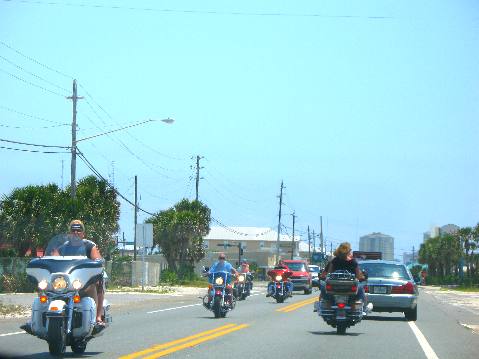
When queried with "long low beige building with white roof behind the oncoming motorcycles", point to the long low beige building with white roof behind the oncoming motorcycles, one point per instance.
{"points": [[259, 245]]}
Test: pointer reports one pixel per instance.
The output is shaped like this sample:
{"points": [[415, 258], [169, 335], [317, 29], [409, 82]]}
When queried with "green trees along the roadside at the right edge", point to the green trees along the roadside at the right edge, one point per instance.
{"points": [[452, 257]]}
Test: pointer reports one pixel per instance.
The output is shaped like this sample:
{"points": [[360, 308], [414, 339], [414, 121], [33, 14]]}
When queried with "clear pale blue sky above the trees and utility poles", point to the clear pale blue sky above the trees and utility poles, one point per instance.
{"points": [[367, 110]]}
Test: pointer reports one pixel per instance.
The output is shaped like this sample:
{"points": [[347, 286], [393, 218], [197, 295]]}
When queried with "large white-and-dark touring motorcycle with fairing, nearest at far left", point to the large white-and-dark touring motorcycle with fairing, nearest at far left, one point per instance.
{"points": [[59, 314]]}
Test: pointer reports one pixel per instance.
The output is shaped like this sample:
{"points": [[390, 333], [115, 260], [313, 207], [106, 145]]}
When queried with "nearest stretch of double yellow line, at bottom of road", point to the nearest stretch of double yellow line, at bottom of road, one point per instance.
{"points": [[160, 350]]}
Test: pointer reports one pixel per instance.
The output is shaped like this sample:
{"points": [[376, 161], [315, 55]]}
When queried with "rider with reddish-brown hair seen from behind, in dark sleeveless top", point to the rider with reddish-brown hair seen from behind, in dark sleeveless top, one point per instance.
{"points": [[344, 260]]}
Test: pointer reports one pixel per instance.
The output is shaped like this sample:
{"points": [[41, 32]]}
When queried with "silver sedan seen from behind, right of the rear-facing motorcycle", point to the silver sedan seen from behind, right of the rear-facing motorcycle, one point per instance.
{"points": [[391, 287]]}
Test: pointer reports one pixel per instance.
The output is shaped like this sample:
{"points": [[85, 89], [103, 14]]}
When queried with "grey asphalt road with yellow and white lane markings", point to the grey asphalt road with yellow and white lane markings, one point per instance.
{"points": [[179, 327]]}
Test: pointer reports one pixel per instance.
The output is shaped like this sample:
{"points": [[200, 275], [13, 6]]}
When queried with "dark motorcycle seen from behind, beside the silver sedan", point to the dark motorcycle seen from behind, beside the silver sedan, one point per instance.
{"points": [[340, 307]]}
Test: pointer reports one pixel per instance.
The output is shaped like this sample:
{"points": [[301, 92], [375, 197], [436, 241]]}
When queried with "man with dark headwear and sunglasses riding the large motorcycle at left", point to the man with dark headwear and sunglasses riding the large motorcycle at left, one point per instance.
{"points": [[77, 240]]}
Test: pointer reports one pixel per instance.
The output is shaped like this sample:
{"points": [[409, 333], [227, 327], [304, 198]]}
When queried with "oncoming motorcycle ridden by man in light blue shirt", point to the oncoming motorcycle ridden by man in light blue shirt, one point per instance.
{"points": [[219, 300]]}
